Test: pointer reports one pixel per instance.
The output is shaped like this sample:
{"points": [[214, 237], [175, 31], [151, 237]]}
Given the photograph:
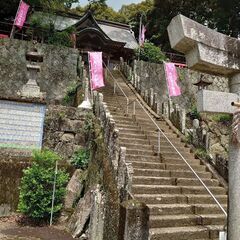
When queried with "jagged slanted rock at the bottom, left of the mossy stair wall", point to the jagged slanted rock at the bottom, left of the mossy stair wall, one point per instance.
{"points": [[81, 215]]}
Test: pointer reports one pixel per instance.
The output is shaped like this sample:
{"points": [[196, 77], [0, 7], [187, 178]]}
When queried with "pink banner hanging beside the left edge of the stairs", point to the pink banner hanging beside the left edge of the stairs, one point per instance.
{"points": [[95, 60]]}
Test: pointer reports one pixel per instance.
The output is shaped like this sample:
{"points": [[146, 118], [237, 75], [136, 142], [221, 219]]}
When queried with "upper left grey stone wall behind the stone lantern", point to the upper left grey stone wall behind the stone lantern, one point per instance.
{"points": [[59, 68]]}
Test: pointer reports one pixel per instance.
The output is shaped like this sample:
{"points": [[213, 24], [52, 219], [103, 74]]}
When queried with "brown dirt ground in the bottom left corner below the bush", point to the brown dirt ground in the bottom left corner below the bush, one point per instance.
{"points": [[12, 228]]}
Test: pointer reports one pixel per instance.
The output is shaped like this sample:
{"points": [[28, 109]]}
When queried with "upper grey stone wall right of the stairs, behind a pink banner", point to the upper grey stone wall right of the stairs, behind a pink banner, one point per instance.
{"points": [[149, 76]]}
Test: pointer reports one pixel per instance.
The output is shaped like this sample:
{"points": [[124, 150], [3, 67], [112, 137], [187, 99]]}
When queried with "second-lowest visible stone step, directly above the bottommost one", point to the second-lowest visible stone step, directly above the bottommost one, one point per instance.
{"points": [[186, 220]]}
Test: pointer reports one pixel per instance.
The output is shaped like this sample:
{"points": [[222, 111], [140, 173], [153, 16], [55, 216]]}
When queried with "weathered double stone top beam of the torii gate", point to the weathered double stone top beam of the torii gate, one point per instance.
{"points": [[206, 50]]}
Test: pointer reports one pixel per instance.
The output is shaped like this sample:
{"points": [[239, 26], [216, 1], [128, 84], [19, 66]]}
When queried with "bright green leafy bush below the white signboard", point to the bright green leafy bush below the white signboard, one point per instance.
{"points": [[37, 185]]}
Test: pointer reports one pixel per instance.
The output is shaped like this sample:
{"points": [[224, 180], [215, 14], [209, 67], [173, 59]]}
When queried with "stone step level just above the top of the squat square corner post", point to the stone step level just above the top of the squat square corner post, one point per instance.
{"points": [[167, 189]]}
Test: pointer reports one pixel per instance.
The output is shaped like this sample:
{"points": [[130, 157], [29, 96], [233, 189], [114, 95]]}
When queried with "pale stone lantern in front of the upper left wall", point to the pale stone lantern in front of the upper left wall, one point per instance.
{"points": [[31, 88]]}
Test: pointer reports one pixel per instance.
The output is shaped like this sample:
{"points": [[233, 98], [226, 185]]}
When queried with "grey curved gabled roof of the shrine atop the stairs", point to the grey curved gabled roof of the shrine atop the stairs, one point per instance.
{"points": [[116, 32]]}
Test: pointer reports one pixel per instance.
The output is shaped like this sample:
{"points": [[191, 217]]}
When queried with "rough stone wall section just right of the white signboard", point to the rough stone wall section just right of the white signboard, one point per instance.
{"points": [[64, 130]]}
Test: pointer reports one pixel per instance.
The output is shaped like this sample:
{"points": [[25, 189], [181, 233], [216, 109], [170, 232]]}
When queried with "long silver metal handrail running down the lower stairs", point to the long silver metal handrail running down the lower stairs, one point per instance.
{"points": [[193, 171]]}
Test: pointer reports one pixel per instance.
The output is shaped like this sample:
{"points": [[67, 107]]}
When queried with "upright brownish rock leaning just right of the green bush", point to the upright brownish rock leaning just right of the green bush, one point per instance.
{"points": [[74, 189]]}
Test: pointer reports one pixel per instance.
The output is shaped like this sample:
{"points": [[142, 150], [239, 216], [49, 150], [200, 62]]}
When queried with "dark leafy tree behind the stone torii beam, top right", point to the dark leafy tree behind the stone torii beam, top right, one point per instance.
{"points": [[221, 15]]}
